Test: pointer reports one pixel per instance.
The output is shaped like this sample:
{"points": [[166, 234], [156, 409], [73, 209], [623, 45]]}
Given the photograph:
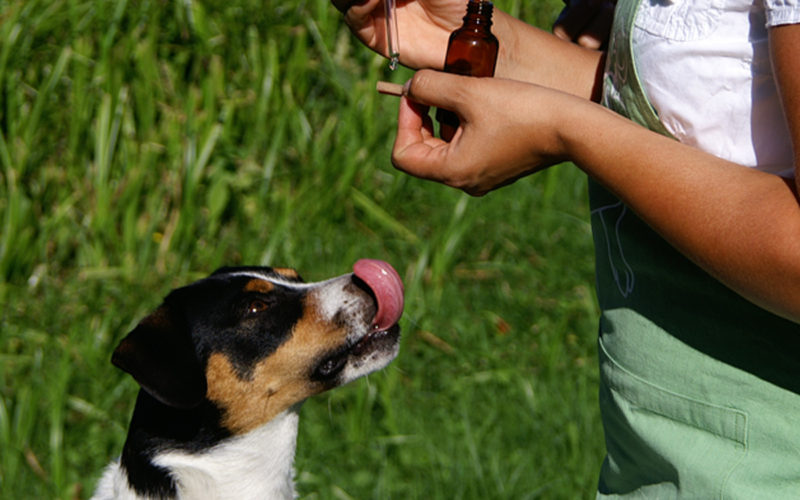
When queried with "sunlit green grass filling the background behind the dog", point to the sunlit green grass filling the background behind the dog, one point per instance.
{"points": [[145, 143]]}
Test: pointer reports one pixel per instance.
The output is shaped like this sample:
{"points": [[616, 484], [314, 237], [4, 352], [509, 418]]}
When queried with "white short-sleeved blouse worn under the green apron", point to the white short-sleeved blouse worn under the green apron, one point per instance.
{"points": [[705, 67]]}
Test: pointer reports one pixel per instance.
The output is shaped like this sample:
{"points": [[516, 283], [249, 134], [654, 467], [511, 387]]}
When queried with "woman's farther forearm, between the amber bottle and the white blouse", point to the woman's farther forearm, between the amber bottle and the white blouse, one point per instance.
{"points": [[533, 55]]}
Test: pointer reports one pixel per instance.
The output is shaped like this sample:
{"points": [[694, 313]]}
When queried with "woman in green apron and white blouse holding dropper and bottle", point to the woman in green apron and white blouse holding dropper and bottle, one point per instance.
{"points": [[687, 123]]}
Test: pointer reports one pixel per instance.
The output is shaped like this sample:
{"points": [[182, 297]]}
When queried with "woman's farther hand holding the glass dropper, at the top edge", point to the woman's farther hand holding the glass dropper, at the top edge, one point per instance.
{"points": [[424, 27]]}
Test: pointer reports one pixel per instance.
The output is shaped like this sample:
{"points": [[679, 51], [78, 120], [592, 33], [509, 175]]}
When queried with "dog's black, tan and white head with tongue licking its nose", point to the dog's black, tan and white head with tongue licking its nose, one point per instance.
{"points": [[255, 341]]}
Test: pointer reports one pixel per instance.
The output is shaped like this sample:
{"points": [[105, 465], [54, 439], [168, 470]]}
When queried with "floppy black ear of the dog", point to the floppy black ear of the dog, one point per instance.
{"points": [[159, 354]]}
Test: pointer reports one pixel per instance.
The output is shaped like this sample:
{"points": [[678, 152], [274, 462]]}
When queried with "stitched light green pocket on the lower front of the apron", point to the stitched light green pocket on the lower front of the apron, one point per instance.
{"points": [[660, 442]]}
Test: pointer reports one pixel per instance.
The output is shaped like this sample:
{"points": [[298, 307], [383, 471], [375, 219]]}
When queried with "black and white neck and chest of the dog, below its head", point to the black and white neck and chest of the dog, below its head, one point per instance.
{"points": [[156, 463]]}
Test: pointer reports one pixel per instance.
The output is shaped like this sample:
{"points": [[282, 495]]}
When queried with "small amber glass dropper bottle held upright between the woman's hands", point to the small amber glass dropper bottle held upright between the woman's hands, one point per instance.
{"points": [[472, 51]]}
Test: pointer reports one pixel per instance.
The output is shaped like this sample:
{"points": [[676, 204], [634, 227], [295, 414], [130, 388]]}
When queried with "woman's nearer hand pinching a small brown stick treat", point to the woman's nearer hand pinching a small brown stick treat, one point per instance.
{"points": [[508, 129]]}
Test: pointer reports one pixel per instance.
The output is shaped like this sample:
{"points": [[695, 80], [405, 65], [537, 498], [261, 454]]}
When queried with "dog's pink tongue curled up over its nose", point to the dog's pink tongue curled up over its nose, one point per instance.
{"points": [[387, 286]]}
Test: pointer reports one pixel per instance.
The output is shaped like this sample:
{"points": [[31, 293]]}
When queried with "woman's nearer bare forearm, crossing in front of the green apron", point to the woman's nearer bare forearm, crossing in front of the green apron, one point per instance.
{"points": [[740, 225]]}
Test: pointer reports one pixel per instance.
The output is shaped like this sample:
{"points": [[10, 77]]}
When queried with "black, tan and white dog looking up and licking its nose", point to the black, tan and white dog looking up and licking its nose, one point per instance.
{"points": [[223, 366]]}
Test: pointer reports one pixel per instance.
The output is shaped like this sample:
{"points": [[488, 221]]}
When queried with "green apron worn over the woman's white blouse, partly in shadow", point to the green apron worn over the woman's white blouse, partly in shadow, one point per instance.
{"points": [[699, 389]]}
